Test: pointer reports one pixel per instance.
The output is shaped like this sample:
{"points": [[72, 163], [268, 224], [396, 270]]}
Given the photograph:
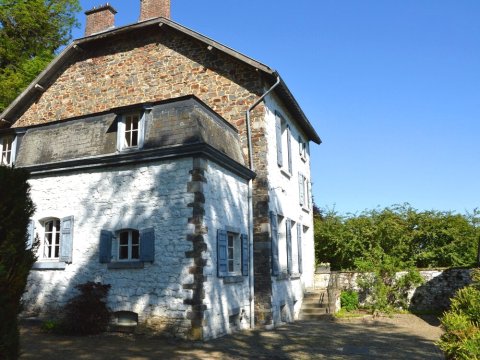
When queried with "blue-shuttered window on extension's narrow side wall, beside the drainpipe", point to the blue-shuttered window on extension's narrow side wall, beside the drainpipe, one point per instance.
{"points": [[232, 253]]}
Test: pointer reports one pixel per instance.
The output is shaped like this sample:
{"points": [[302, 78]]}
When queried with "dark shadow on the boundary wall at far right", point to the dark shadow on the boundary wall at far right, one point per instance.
{"points": [[435, 294]]}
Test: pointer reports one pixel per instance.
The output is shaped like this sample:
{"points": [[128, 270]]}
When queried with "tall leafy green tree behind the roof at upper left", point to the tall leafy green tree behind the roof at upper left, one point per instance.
{"points": [[31, 31]]}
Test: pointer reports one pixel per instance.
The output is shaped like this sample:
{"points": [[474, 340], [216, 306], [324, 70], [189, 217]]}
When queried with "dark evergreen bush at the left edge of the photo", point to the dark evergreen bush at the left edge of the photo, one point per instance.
{"points": [[16, 260]]}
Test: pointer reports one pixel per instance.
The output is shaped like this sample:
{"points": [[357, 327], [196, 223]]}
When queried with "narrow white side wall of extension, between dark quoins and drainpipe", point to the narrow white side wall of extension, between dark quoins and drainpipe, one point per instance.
{"points": [[226, 205]]}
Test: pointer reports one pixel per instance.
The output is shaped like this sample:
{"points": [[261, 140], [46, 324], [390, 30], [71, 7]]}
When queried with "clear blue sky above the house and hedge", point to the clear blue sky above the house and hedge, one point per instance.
{"points": [[392, 88]]}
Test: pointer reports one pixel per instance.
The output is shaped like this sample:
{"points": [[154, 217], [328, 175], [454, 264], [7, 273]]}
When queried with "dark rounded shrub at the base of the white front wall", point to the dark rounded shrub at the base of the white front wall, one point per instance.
{"points": [[87, 313]]}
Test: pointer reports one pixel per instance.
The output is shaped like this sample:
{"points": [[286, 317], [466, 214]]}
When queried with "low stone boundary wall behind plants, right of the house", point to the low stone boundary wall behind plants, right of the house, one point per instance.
{"points": [[434, 295]]}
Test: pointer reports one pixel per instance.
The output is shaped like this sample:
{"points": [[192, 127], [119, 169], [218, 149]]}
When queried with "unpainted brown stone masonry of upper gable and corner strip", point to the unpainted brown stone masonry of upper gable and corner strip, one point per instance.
{"points": [[163, 64]]}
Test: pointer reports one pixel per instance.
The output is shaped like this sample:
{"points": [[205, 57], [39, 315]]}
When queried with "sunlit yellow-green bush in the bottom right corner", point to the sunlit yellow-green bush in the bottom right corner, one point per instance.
{"points": [[462, 323]]}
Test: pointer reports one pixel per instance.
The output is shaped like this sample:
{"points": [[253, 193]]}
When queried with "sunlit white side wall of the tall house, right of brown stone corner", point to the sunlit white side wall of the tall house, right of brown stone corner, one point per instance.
{"points": [[284, 200]]}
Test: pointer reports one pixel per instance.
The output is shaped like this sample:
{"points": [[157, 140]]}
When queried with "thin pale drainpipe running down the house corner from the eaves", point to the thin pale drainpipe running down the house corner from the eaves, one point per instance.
{"points": [[250, 199]]}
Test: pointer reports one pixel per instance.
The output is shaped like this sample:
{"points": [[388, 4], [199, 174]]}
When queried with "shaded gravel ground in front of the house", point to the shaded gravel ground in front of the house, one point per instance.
{"points": [[399, 337]]}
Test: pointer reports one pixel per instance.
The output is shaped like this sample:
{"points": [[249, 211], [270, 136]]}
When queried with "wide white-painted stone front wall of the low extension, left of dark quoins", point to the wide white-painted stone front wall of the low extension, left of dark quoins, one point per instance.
{"points": [[134, 196]]}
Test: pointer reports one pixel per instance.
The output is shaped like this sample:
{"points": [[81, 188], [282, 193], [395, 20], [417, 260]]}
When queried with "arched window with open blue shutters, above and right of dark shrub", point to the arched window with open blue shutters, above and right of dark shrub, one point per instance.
{"points": [[127, 248]]}
